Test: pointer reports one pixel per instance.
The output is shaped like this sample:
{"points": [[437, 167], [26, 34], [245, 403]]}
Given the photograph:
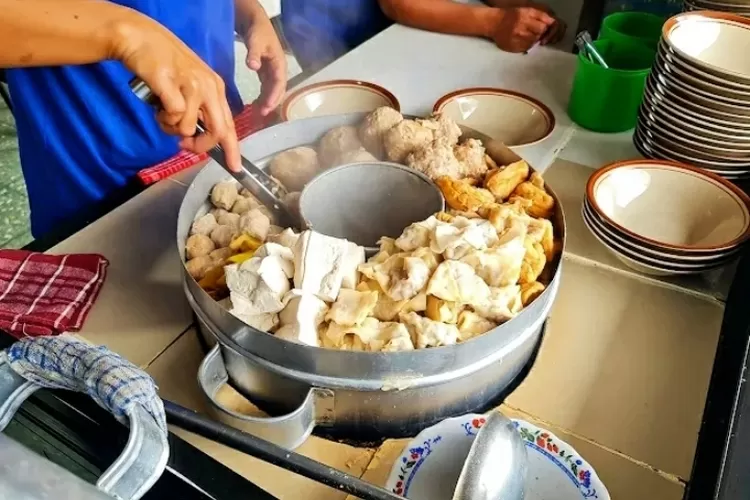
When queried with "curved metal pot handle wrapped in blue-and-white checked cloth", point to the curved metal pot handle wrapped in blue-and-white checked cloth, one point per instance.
{"points": [[42, 361]]}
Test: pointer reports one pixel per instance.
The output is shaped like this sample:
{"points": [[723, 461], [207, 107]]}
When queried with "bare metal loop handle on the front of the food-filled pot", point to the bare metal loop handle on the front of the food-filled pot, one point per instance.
{"points": [[288, 431]]}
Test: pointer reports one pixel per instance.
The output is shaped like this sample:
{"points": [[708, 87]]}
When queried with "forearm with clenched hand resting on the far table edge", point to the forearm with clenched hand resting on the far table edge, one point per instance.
{"points": [[513, 29]]}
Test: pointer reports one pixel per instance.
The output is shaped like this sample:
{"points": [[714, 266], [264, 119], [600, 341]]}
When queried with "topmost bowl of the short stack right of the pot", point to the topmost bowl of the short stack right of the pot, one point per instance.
{"points": [[670, 205]]}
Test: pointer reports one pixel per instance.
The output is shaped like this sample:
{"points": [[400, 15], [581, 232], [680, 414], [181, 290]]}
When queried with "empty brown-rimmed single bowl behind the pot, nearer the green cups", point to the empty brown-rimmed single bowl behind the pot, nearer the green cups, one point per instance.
{"points": [[507, 116]]}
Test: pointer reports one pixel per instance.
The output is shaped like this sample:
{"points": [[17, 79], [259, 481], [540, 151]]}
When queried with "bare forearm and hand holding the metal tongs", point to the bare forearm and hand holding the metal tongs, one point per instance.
{"points": [[68, 32]]}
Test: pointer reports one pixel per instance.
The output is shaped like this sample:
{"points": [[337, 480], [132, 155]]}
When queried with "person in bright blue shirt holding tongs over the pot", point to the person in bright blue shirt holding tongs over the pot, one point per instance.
{"points": [[82, 133]]}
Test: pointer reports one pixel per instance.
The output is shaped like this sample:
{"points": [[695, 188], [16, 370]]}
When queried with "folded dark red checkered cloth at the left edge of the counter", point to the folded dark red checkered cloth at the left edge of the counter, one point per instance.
{"points": [[44, 294]]}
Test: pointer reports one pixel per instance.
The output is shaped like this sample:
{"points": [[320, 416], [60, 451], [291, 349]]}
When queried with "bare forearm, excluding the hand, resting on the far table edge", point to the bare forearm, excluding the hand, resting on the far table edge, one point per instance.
{"points": [[443, 16]]}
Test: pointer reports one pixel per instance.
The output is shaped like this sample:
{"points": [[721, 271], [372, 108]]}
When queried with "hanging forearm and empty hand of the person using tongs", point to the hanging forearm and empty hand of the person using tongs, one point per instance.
{"points": [[264, 52]]}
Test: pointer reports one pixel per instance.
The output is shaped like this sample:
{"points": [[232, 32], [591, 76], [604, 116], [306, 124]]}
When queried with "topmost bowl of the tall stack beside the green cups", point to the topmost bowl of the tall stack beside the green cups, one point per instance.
{"points": [[712, 41]]}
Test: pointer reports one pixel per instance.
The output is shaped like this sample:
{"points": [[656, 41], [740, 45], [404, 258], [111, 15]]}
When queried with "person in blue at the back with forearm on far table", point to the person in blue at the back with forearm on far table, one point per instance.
{"points": [[320, 31]]}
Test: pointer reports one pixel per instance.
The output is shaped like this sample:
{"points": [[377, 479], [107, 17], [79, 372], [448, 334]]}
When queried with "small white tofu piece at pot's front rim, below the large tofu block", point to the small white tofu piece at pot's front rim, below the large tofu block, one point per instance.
{"points": [[301, 317]]}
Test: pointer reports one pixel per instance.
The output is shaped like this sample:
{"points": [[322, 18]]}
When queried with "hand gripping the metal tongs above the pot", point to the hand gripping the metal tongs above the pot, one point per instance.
{"points": [[187, 87]]}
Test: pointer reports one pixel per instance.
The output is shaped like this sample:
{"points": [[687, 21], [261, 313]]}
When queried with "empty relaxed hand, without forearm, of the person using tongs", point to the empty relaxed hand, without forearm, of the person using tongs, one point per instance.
{"points": [[266, 57]]}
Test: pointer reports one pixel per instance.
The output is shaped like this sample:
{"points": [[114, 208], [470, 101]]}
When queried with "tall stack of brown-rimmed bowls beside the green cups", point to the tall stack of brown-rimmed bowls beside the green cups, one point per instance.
{"points": [[696, 106]]}
